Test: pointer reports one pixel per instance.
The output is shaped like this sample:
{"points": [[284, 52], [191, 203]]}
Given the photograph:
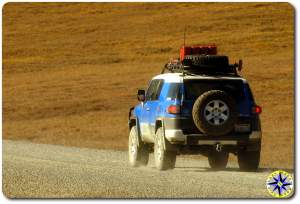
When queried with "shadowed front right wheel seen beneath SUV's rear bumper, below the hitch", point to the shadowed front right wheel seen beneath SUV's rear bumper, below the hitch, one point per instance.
{"points": [[218, 160]]}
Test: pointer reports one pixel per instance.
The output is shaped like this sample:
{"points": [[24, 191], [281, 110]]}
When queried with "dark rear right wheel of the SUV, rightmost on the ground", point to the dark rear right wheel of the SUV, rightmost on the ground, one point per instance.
{"points": [[249, 160]]}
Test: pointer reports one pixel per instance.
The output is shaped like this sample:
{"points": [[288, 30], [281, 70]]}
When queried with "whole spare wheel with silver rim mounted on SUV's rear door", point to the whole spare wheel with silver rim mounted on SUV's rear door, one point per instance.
{"points": [[215, 113]]}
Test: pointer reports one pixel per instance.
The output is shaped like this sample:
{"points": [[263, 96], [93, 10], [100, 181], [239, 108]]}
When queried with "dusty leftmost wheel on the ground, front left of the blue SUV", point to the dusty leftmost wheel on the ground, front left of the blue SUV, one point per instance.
{"points": [[138, 152]]}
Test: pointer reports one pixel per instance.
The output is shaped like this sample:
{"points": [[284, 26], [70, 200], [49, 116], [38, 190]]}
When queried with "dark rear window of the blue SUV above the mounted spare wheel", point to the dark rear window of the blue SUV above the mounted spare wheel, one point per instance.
{"points": [[195, 88]]}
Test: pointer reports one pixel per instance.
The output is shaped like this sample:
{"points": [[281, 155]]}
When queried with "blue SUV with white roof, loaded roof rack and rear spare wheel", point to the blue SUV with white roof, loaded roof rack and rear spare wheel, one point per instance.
{"points": [[202, 106]]}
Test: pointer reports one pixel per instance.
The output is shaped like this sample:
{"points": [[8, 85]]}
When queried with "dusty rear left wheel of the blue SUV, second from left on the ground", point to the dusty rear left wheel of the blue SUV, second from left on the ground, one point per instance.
{"points": [[164, 160]]}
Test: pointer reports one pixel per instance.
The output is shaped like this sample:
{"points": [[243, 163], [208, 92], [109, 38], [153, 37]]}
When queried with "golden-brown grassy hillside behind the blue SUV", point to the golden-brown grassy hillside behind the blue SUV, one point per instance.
{"points": [[71, 70]]}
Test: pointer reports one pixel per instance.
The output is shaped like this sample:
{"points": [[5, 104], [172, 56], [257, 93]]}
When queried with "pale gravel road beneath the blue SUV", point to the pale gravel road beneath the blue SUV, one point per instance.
{"points": [[50, 171]]}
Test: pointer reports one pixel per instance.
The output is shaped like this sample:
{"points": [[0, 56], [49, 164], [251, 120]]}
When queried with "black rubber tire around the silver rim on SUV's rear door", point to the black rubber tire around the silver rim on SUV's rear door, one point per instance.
{"points": [[199, 110]]}
